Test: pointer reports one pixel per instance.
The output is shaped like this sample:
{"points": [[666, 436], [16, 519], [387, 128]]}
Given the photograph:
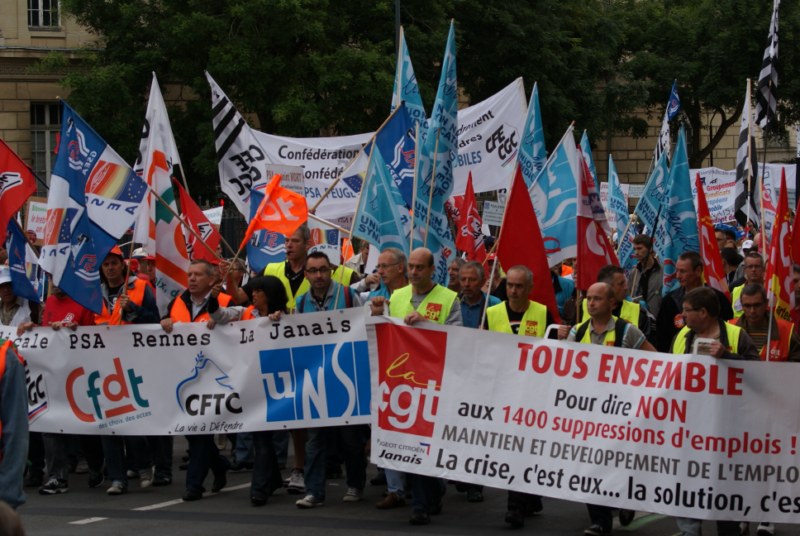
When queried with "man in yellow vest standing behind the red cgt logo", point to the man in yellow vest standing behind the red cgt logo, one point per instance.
{"points": [[422, 300]]}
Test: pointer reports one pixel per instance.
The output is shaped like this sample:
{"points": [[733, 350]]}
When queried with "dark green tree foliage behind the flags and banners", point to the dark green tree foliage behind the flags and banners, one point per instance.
{"points": [[326, 67]]}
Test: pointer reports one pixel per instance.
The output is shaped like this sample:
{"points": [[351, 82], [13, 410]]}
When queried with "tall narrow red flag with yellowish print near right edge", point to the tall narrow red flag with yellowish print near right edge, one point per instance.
{"points": [[779, 267]]}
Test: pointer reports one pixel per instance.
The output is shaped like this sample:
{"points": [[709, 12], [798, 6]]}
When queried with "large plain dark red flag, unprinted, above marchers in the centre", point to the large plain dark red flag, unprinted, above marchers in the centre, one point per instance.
{"points": [[520, 242]]}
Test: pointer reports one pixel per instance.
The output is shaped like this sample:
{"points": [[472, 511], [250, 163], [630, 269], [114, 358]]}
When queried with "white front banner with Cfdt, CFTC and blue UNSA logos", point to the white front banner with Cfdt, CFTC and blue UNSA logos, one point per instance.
{"points": [[306, 370]]}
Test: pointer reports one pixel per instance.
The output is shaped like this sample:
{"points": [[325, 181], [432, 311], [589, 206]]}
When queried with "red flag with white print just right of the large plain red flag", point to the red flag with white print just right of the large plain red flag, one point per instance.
{"points": [[595, 249]]}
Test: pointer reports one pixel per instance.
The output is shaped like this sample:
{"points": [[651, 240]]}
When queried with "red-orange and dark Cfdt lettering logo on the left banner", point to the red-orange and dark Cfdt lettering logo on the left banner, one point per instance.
{"points": [[111, 394]]}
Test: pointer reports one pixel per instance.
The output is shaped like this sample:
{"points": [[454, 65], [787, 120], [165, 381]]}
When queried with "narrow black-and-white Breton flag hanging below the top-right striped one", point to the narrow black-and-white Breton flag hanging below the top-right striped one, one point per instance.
{"points": [[747, 198]]}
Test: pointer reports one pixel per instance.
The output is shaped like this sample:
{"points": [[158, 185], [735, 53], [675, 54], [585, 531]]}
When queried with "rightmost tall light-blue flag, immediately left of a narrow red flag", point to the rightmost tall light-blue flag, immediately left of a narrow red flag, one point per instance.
{"points": [[676, 231]]}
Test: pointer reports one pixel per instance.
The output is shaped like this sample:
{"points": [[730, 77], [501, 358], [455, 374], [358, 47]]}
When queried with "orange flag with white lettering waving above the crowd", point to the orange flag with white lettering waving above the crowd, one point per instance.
{"points": [[281, 211]]}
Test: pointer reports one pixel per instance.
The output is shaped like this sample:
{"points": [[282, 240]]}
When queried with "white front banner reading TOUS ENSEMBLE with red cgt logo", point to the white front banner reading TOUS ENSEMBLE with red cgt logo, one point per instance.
{"points": [[680, 435]]}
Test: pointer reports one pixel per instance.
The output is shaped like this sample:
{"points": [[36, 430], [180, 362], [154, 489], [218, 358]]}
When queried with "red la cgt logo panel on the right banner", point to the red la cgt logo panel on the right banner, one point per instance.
{"points": [[410, 370]]}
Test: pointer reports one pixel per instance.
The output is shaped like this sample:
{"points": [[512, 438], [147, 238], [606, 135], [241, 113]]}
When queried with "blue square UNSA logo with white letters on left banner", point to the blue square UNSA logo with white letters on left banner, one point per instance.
{"points": [[319, 381]]}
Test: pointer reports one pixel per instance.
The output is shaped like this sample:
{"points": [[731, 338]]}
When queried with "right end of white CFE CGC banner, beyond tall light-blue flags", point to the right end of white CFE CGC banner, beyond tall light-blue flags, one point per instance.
{"points": [[488, 140]]}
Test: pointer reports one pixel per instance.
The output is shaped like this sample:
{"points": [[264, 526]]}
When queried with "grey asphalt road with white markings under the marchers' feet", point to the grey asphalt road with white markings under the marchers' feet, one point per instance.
{"points": [[88, 512]]}
